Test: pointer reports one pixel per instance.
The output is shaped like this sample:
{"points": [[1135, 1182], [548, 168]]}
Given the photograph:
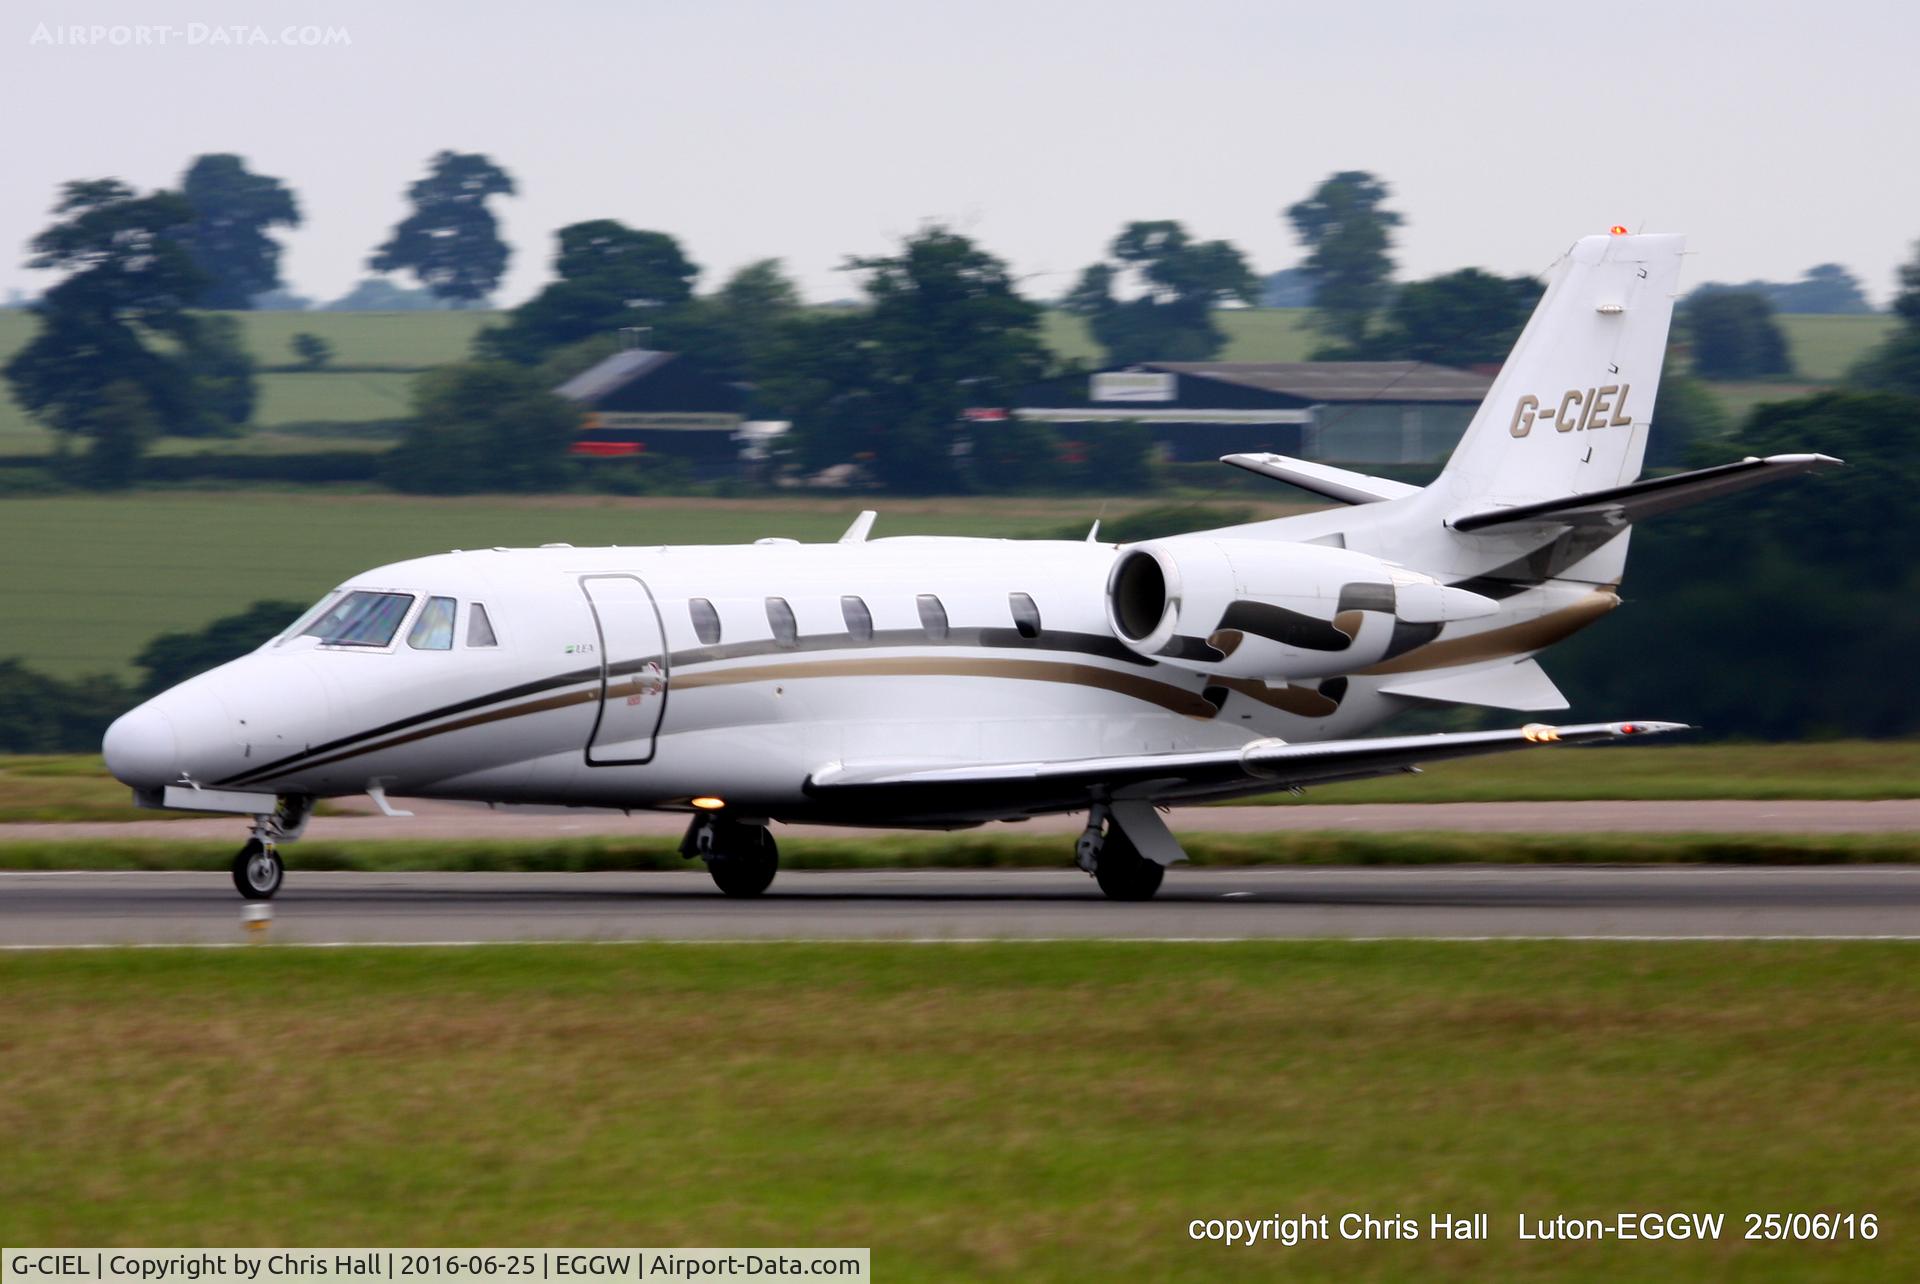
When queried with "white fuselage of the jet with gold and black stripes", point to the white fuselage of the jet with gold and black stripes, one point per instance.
{"points": [[600, 690]]}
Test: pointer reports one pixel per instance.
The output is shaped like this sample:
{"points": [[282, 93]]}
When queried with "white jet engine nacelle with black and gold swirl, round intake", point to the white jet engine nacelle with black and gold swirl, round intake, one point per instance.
{"points": [[1274, 611]]}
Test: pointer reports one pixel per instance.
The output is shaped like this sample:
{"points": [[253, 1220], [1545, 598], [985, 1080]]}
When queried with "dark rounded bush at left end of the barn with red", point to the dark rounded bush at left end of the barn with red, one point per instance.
{"points": [[483, 427]]}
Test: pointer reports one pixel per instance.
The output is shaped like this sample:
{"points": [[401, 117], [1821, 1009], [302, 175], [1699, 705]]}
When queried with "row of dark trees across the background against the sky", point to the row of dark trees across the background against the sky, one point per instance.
{"points": [[132, 343]]}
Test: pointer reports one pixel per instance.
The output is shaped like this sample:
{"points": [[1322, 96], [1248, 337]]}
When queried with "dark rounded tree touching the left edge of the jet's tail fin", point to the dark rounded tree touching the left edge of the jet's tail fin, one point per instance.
{"points": [[1460, 320]]}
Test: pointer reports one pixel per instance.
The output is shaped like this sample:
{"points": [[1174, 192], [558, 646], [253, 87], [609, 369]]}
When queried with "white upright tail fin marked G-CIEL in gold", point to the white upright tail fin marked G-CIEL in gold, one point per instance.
{"points": [[1572, 408]]}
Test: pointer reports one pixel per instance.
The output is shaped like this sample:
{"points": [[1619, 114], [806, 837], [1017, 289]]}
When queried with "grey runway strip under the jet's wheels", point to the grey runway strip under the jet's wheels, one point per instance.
{"points": [[946, 905]]}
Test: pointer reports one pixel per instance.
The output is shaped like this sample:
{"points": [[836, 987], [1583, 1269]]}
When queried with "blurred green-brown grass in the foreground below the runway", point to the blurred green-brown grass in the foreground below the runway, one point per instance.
{"points": [[982, 1110]]}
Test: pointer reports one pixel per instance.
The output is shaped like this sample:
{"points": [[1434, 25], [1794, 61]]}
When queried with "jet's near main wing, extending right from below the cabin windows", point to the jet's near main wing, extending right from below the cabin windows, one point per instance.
{"points": [[1174, 776]]}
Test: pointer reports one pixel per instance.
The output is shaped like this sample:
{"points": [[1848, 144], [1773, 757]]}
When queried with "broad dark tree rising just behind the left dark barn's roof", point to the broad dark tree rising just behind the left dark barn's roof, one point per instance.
{"points": [[610, 277]]}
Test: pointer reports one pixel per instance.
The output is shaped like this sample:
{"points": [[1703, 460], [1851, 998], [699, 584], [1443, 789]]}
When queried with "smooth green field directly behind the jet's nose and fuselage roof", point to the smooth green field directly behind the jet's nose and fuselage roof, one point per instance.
{"points": [[108, 573]]}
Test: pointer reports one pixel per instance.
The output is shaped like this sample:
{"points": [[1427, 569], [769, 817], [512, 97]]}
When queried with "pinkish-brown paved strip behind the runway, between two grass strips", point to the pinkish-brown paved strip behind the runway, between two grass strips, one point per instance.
{"points": [[464, 820]]}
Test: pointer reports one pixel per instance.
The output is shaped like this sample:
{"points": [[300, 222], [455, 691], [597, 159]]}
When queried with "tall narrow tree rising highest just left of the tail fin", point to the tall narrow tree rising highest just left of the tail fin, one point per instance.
{"points": [[1349, 237]]}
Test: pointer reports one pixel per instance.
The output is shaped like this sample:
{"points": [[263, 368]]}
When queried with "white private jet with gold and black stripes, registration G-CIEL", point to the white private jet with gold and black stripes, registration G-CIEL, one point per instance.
{"points": [[944, 684]]}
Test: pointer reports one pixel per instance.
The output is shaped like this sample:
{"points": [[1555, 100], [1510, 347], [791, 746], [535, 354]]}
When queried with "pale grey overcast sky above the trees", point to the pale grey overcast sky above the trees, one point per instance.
{"points": [[1775, 135]]}
